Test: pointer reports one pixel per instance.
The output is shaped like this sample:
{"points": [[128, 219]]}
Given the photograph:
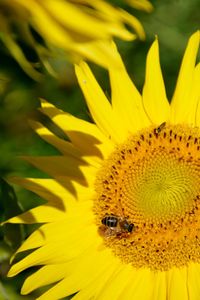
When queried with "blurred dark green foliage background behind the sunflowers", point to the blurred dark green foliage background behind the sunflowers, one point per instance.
{"points": [[173, 21]]}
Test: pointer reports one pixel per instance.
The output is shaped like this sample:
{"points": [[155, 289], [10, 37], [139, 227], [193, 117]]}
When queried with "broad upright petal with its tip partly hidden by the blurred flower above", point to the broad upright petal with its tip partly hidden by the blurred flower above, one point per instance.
{"points": [[126, 100]]}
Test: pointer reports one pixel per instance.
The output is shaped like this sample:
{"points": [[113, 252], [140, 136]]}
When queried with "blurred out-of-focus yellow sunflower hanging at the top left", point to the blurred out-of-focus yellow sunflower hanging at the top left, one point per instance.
{"points": [[81, 28]]}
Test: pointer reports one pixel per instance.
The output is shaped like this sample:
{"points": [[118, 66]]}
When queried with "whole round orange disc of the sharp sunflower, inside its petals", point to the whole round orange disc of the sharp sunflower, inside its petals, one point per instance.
{"points": [[153, 182]]}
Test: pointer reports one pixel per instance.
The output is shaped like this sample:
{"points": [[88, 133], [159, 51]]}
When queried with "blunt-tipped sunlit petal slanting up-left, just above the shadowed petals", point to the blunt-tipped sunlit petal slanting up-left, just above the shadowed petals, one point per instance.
{"points": [[99, 106]]}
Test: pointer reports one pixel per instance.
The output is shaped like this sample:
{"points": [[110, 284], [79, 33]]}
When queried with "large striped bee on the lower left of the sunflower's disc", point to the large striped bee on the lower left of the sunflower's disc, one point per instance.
{"points": [[115, 225]]}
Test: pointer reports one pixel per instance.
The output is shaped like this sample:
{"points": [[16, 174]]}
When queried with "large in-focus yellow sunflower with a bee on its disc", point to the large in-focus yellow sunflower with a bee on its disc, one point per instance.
{"points": [[122, 218]]}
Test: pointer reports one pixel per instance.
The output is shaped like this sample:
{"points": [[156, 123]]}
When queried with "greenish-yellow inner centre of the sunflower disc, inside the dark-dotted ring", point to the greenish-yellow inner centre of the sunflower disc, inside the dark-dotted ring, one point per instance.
{"points": [[161, 189]]}
